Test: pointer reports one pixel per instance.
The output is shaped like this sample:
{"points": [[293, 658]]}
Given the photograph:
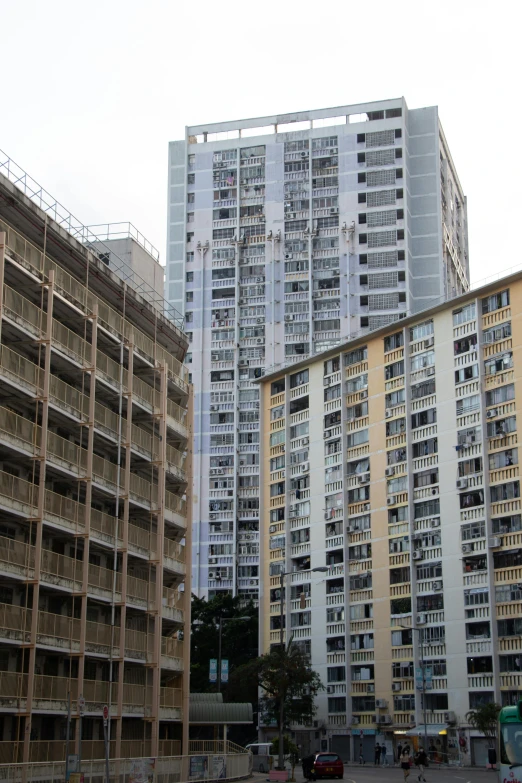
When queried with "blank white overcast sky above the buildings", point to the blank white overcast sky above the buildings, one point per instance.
{"points": [[92, 92]]}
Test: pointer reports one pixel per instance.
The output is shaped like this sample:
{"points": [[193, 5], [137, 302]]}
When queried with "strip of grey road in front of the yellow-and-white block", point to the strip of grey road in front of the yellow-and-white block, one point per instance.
{"points": [[368, 773]]}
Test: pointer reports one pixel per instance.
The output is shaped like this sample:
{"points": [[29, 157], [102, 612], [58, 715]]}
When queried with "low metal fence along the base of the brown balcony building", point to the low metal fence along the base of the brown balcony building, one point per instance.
{"points": [[166, 769]]}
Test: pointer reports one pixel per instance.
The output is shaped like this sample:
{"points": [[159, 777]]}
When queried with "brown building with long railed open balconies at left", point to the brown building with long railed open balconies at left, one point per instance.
{"points": [[95, 428]]}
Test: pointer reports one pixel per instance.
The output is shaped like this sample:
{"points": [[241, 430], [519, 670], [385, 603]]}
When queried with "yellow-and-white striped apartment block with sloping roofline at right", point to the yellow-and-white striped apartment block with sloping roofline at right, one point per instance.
{"points": [[393, 460]]}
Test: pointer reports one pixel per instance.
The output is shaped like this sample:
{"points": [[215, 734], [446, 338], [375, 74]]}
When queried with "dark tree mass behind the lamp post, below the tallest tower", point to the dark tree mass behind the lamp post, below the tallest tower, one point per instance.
{"points": [[239, 640]]}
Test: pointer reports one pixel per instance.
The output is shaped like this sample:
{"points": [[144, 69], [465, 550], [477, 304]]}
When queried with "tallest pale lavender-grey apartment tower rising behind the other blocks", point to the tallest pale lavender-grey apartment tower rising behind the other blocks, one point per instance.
{"points": [[286, 235]]}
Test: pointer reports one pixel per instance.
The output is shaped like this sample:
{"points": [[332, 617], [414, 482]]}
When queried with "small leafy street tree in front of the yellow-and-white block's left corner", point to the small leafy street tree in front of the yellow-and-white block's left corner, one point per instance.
{"points": [[289, 686]]}
